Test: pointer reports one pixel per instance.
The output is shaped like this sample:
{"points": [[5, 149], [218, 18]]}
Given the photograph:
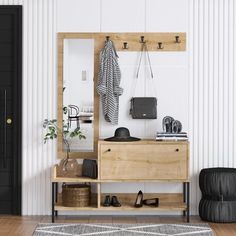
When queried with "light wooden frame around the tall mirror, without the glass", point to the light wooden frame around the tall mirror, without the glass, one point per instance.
{"points": [[61, 153]]}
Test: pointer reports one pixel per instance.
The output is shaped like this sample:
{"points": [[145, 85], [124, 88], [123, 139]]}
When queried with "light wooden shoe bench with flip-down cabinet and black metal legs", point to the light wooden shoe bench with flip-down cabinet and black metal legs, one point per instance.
{"points": [[141, 161]]}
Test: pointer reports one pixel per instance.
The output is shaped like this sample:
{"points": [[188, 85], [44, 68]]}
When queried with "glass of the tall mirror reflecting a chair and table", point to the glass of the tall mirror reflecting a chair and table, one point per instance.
{"points": [[78, 91]]}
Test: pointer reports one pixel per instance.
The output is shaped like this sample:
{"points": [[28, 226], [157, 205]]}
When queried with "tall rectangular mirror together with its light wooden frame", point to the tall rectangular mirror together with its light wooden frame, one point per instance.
{"points": [[77, 100]]}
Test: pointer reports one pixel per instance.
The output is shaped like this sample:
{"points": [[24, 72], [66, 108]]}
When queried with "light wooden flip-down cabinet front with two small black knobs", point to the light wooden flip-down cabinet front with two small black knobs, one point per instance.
{"points": [[134, 162]]}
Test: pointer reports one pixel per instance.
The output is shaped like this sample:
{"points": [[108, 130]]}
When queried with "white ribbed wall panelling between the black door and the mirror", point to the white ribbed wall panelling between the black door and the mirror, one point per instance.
{"points": [[39, 101]]}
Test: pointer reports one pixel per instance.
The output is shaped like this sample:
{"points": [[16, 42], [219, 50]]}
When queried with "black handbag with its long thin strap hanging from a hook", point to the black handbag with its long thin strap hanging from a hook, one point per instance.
{"points": [[143, 107]]}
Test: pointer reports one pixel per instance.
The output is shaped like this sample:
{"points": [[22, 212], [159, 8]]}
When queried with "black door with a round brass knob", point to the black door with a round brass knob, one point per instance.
{"points": [[10, 108]]}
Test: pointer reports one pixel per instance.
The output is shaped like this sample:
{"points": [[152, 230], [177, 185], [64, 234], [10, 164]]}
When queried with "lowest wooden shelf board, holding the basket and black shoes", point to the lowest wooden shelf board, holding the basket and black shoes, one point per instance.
{"points": [[127, 207]]}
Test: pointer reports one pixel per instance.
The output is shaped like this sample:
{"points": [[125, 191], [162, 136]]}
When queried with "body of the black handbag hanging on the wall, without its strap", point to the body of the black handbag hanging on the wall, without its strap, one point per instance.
{"points": [[143, 108]]}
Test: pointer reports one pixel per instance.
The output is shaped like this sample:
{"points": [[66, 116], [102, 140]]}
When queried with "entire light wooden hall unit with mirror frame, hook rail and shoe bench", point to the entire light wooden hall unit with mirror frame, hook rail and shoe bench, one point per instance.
{"points": [[125, 162]]}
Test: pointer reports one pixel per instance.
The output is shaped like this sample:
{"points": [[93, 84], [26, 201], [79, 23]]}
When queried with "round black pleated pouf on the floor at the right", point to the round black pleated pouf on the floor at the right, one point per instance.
{"points": [[218, 187]]}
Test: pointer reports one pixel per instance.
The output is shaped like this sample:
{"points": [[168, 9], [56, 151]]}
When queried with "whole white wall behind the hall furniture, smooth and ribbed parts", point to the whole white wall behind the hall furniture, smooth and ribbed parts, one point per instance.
{"points": [[205, 73]]}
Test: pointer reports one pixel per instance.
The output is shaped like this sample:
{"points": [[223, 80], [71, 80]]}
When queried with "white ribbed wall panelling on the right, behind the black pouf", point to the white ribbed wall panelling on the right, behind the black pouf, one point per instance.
{"points": [[212, 50]]}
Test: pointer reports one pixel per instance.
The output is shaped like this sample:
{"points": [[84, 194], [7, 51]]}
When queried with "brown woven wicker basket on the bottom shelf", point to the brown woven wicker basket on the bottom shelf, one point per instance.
{"points": [[76, 195]]}
